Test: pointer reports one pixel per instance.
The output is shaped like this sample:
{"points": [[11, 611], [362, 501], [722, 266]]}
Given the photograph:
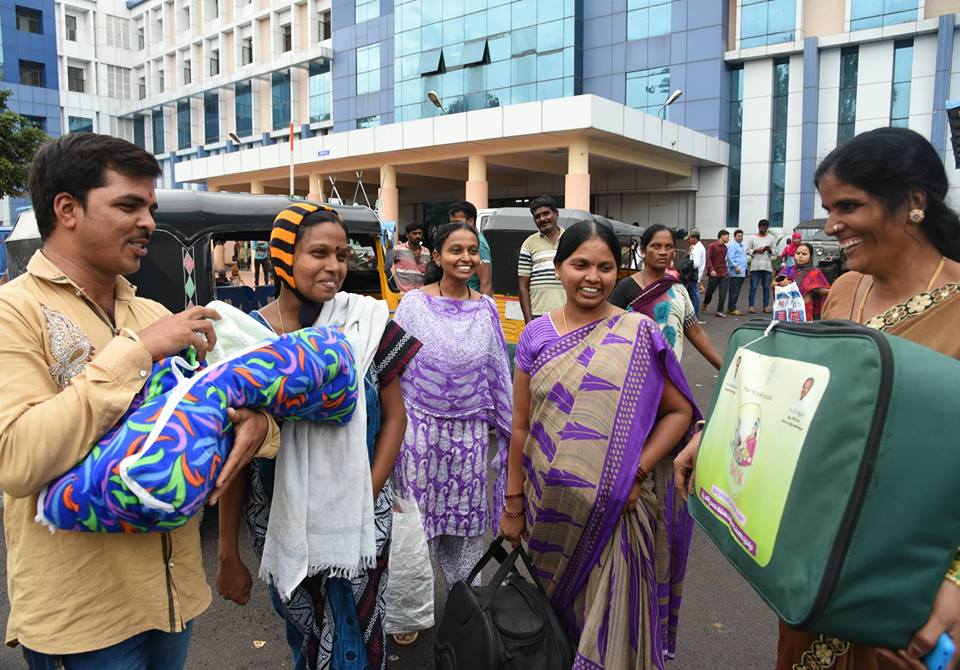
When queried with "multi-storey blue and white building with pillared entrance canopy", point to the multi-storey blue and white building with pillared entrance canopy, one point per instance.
{"points": [[425, 101]]}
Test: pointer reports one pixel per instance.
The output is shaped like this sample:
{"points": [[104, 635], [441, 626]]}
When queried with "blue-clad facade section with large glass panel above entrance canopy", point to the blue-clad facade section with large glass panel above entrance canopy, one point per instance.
{"points": [[484, 53]]}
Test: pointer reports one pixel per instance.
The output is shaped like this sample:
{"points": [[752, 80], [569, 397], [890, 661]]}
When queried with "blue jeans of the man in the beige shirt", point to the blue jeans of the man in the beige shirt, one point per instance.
{"points": [[151, 650]]}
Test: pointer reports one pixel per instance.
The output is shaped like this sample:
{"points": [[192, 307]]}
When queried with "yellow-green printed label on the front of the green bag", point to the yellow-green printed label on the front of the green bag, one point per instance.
{"points": [[752, 444]]}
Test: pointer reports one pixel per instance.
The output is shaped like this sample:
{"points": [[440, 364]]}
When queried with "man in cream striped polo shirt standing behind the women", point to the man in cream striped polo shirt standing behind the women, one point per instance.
{"points": [[540, 289]]}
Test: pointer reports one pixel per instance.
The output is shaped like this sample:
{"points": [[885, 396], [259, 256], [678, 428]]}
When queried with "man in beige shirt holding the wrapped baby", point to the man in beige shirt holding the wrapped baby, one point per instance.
{"points": [[77, 346]]}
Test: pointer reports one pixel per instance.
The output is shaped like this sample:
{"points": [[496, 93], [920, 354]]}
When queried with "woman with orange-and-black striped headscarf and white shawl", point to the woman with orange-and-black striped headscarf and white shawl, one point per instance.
{"points": [[322, 537]]}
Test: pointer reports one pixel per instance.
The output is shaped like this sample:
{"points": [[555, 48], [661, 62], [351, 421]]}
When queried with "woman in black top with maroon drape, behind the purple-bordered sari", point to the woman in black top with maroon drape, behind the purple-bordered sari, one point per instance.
{"points": [[659, 294]]}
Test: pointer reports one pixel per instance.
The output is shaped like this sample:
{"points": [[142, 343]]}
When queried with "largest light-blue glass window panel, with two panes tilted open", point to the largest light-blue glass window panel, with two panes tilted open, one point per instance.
{"points": [[476, 54]]}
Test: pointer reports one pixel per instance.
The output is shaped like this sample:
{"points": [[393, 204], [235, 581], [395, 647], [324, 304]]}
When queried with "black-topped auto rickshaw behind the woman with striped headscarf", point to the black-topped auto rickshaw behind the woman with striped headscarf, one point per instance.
{"points": [[178, 271]]}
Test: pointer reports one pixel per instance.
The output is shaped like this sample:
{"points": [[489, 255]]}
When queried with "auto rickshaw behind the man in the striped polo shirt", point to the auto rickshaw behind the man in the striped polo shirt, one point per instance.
{"points": [[506, 230]]}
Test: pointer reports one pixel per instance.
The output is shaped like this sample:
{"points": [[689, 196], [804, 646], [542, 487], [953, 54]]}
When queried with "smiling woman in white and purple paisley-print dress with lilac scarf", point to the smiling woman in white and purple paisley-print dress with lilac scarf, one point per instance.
{"points": [[456, 390]]}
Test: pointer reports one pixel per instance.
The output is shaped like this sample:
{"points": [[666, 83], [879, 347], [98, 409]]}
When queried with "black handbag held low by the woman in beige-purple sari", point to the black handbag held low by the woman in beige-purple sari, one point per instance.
{"points": [[507, 625]]}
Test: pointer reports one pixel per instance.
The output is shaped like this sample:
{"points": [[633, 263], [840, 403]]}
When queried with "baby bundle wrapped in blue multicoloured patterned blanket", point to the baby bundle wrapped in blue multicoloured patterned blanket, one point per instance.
{"points": [[158, 465]]}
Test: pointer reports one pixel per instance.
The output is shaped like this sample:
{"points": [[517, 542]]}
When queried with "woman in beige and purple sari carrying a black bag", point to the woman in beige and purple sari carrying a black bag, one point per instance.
{"points": [[599, 401]]}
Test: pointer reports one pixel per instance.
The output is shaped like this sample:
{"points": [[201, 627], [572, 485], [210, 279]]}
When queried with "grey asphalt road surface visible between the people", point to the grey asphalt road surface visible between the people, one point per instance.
{"points": [[723, 624]]}
